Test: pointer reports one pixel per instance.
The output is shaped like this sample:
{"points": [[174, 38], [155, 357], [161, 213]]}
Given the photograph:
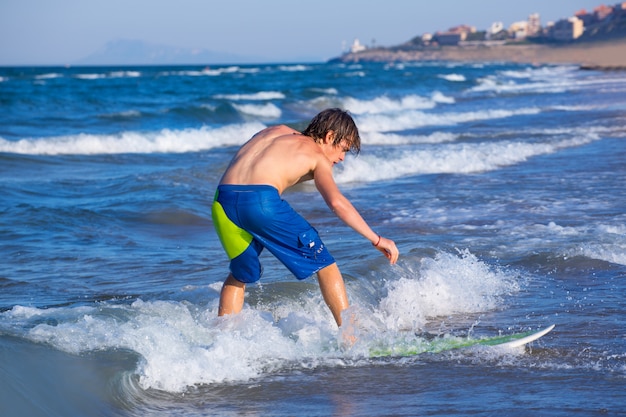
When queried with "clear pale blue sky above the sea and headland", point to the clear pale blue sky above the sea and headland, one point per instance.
{"points": [[59, 32]]}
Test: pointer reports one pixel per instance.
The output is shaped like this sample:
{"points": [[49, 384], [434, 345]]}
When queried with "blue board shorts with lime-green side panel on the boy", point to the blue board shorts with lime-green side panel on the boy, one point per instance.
{"points": [[248, 218]]}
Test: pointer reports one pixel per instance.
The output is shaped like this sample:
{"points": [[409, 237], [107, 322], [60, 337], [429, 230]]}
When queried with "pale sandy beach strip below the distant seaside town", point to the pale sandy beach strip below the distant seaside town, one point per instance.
{"points": [[609, 55]]}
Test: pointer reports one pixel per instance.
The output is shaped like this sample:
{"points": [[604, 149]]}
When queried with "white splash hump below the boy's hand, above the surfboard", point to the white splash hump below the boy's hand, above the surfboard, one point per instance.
{"points": [[445, 285]]}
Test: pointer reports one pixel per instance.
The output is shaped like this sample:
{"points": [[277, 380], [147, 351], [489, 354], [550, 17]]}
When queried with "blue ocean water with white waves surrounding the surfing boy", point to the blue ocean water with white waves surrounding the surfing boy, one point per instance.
{"points": [[502, 185]]}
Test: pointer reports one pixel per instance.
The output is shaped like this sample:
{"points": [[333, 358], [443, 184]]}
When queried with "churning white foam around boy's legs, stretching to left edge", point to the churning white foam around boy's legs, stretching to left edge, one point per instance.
{"points": [[182, 345]]}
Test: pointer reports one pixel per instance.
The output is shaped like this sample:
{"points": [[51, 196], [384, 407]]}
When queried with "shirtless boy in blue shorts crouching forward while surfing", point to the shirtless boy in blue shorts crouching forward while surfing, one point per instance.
{"points": [[249, 214]]}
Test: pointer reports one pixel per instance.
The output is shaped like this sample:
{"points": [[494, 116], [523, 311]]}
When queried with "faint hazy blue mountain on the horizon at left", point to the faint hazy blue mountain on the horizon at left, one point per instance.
{"points": [[135, 52]]}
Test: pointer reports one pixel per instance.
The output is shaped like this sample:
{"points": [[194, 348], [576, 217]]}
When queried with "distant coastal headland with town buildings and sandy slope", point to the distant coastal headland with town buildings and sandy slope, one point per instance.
{"points": [[592, 40]]}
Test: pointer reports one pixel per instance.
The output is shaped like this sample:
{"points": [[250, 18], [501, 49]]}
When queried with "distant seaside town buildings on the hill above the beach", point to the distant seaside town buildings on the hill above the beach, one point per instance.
{"points": [[602, 23]]}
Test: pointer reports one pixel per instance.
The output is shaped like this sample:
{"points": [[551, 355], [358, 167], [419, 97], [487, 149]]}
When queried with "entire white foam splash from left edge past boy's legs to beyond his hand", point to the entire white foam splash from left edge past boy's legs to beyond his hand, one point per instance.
{"points": [[182, 345]]}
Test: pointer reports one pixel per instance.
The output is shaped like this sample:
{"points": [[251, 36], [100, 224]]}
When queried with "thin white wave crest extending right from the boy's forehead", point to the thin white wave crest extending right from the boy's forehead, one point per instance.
{"points": [[414, 119]]}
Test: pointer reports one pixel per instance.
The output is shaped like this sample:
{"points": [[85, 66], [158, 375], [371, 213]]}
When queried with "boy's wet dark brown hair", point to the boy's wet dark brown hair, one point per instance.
{"points": [[340, 122]]}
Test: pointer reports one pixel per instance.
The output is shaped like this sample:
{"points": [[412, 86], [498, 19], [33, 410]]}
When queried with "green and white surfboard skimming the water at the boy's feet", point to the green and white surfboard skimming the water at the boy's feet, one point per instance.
{"points": [[441, 344]]}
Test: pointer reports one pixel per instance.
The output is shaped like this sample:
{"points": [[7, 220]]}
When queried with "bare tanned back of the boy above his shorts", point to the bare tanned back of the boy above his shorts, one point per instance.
{"points": [[278, 156]]}
